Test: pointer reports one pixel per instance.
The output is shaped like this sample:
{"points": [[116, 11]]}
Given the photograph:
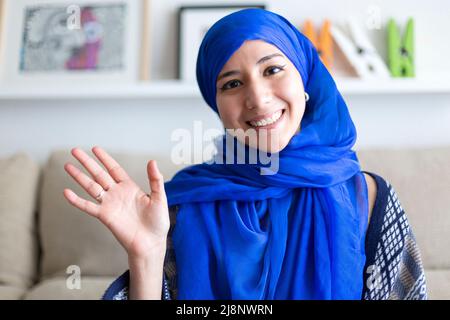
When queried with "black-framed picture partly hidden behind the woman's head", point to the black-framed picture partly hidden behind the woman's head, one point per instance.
{"points": [[193, 23]]}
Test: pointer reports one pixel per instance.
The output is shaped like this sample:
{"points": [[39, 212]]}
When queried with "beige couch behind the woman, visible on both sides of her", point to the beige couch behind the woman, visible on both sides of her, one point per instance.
{"points": [[42, 236]]}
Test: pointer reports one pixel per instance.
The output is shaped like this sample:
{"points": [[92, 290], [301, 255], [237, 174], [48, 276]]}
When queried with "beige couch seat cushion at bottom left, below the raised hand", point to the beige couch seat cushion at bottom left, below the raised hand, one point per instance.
{"points": [[91, 288]]}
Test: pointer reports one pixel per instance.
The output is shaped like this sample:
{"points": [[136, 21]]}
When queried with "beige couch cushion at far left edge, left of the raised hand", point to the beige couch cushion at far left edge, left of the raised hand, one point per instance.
{"points": [[19, 177]]}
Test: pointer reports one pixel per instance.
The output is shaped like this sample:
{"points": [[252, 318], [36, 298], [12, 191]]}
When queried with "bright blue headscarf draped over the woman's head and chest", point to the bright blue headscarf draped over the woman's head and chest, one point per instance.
{"points": [[296, 234]]}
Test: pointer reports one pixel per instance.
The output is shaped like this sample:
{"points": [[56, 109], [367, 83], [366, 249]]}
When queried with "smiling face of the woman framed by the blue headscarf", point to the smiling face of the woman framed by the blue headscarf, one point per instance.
{"points": [[260, 91]]}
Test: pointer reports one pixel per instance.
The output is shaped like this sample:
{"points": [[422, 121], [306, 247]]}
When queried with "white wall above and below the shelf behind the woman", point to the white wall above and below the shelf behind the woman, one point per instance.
{"points": [[145, 125]]}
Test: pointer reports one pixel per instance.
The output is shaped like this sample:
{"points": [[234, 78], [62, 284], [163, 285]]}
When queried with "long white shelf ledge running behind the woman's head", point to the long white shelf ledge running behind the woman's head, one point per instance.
{"points": [[174, 89]]}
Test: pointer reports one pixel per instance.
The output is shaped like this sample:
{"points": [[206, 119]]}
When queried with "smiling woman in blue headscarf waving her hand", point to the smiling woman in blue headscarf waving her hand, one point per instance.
{"points": [[296, 230]]}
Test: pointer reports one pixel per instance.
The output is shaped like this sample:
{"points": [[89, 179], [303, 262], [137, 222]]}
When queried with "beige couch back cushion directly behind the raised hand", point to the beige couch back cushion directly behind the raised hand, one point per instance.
{"points": [[72, 237]]}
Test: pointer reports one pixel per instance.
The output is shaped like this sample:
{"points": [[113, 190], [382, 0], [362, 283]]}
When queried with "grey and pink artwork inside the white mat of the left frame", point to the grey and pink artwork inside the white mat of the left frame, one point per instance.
{"points": [[50, 43]]}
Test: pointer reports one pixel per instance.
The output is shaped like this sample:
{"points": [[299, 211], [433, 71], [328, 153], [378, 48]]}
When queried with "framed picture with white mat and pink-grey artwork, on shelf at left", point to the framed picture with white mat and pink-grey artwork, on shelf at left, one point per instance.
{"points": [[70, 41]]}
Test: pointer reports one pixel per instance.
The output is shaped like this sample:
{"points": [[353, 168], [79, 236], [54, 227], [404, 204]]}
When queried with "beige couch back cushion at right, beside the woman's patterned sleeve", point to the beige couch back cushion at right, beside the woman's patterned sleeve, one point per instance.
{"points": [[421, 178]]}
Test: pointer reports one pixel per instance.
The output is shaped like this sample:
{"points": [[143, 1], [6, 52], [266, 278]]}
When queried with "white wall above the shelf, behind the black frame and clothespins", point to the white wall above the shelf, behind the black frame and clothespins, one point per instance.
{"points": [[431, 23]]}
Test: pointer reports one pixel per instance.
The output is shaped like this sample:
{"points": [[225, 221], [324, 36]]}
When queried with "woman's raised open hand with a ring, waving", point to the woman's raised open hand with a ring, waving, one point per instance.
{"points": [[139, 221]]}
